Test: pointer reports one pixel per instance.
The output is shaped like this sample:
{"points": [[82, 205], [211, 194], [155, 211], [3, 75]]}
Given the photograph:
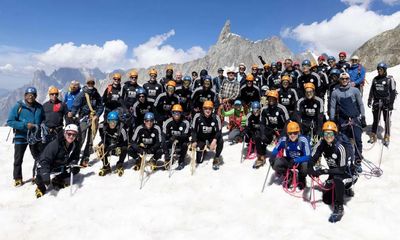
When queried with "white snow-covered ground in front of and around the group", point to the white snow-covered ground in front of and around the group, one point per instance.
{"points": [[224, 204]]}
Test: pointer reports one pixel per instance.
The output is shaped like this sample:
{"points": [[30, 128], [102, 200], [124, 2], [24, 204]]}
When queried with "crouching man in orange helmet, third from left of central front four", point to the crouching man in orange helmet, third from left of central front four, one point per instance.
{"points": [[176, 131]]}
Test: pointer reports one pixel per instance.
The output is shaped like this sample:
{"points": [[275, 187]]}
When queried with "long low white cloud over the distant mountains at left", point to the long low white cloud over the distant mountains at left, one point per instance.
{"points": [[106, 57]]}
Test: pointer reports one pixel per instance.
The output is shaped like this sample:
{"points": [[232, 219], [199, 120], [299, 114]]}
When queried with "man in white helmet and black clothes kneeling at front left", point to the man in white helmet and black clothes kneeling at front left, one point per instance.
{"points": [[60, 156]]}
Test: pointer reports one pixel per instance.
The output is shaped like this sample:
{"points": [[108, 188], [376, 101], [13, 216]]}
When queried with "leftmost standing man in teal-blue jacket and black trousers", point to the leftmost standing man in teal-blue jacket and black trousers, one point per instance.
{"points": [[23, 117]]}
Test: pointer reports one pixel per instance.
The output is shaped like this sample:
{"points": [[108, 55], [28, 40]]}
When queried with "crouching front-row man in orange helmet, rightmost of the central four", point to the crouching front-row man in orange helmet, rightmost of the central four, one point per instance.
{"points": [[207, 130]]}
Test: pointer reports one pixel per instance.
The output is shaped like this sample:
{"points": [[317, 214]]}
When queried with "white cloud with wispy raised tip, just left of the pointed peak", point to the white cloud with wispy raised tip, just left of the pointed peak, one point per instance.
{"points": [[155, 51]]}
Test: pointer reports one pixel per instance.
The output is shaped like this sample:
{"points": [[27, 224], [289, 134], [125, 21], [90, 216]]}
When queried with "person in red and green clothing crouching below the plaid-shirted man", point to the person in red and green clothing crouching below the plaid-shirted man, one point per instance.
{"points": [[237, 122]]}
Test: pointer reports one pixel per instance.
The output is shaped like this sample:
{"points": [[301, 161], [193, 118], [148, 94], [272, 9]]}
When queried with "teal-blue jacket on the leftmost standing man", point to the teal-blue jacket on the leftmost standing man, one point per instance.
{"points": [[19, 121]]}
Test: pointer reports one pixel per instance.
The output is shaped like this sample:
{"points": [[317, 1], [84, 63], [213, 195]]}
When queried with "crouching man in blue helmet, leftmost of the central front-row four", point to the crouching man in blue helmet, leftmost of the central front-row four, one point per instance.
{"points": [[114, 141]]}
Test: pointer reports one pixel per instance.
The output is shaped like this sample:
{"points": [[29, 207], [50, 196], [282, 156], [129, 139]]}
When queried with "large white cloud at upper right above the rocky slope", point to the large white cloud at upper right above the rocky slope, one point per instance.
{"points": [[346, 31]]}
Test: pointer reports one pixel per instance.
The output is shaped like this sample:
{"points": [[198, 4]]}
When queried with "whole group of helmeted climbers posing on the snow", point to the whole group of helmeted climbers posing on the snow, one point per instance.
{"points": [[306, 110]]}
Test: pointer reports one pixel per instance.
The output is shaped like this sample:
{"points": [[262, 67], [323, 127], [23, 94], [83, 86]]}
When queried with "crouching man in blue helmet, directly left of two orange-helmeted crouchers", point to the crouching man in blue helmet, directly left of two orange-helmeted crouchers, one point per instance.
{"points": [[146, 139]]}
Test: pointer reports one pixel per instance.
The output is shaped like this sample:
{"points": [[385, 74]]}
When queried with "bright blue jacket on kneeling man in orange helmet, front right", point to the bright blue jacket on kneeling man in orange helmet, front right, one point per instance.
{"points": [[298, 151]]}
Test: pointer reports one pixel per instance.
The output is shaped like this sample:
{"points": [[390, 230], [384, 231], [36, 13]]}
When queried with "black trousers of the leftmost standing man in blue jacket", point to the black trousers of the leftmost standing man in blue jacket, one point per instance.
{"points": [[19, 151]]}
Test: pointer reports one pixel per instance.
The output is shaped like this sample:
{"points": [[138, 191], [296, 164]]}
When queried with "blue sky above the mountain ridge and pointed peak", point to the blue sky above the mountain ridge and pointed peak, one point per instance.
{"points": [[28, 29]]}
